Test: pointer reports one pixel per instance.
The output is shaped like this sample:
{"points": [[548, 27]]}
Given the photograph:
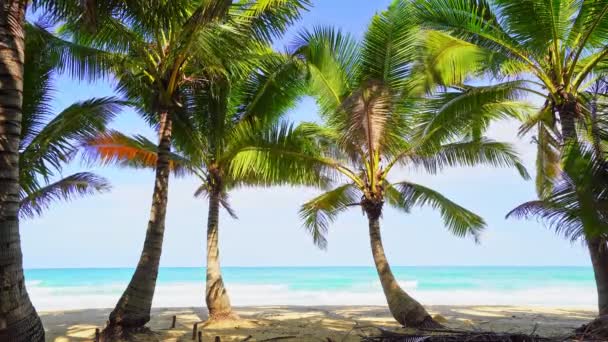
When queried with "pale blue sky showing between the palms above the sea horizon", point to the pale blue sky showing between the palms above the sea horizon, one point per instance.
{"points": [[108, 230]]}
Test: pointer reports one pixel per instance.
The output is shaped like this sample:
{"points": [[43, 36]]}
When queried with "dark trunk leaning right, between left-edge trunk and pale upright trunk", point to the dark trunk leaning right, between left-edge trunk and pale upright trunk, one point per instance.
{"points": [[133, 308]]}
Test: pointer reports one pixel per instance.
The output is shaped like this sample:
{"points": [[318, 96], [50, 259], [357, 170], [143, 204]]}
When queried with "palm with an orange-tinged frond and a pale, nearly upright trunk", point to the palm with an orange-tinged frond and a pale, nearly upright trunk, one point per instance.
{"points": [[235, 142]]}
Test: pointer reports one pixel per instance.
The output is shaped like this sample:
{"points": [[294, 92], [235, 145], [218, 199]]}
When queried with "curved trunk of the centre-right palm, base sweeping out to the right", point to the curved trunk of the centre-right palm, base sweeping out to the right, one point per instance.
{"points": [[405, 309]]}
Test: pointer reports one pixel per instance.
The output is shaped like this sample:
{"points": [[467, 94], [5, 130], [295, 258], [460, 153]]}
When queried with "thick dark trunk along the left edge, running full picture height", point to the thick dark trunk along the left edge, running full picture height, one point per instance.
{"points": [[19, 321]]}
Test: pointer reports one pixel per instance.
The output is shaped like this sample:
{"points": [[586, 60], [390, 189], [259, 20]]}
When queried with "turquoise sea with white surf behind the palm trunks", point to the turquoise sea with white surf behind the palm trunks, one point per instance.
{"points": [[79, 288]]}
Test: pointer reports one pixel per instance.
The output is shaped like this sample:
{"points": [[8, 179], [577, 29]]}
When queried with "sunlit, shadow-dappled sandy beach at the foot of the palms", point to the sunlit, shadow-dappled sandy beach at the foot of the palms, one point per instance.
{"points": [[317, 323]]}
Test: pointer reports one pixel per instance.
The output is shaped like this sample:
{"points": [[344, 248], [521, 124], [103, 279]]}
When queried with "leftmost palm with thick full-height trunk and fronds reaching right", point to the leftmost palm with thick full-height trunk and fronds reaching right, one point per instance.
{"points": [[30, 151]]}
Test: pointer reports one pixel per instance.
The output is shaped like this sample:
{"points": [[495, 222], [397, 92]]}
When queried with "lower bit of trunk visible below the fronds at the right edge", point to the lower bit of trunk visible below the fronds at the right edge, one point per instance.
{"points": [[598, 250]]}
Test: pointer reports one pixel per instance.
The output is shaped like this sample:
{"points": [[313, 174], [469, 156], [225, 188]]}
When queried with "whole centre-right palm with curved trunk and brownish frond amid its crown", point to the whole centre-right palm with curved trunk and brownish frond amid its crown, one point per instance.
{"points": [[369, 99]]}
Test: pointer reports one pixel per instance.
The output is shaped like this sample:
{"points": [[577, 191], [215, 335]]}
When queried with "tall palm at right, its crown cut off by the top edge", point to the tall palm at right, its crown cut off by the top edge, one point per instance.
{"points": [[559, 55]]}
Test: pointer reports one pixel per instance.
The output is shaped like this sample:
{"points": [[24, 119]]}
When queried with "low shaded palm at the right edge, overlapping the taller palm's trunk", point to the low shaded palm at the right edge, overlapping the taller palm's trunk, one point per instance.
{"points": [[576, 208]]}
